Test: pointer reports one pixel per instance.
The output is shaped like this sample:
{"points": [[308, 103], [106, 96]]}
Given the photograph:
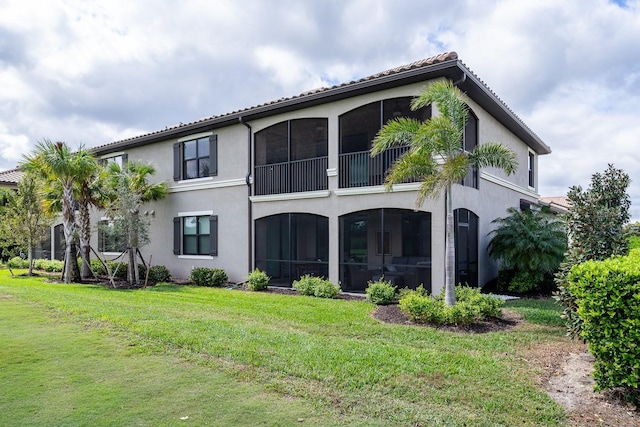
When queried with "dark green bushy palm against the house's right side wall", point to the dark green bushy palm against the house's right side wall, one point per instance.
{"points": [[531, 245]]}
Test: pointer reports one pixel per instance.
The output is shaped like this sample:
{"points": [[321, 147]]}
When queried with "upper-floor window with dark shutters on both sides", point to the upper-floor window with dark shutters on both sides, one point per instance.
{"points": [[195, 157]]}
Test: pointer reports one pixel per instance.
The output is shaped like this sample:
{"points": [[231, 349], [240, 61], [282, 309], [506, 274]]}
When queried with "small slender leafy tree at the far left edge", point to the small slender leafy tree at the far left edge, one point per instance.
{"points": [[24, 221]]}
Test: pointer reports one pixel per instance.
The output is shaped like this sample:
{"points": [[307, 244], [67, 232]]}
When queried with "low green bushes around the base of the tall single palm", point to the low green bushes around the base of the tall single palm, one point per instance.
{"points": [[470, 306]]}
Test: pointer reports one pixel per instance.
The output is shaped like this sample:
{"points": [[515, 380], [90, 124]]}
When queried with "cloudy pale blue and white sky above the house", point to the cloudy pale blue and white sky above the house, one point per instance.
{"points": [[93, 72]]}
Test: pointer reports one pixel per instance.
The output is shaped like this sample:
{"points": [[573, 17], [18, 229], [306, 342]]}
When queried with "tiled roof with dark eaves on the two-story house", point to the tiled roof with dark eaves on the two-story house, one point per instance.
{"points": [[445, 65]]}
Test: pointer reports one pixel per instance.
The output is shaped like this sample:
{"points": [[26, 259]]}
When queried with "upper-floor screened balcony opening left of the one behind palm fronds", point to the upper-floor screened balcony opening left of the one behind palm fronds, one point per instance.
{"points": [[291, 156]]}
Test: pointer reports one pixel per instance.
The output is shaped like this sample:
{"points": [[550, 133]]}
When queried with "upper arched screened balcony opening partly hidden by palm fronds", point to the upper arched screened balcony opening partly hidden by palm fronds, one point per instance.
{"points": [[358, 128]]}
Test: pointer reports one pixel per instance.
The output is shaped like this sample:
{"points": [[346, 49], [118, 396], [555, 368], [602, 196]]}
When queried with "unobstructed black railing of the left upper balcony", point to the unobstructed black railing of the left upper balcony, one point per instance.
{"points": [[292, 177]]}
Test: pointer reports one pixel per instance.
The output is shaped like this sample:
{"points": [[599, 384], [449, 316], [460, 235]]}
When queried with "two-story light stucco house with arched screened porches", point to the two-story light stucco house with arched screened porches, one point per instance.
{"points": [[289, 186]]}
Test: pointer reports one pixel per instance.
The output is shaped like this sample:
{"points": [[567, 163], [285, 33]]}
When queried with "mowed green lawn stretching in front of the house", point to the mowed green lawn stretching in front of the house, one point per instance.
{"points": [[225, 357]]}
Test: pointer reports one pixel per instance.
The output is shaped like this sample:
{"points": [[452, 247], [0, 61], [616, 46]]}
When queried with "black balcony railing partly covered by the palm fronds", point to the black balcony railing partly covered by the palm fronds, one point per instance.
{"points": [[360, 169]]}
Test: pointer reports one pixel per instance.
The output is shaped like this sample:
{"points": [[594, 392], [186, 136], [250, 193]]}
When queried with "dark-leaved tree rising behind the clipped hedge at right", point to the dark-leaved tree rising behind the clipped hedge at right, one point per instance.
{"points": [[595, 224]]}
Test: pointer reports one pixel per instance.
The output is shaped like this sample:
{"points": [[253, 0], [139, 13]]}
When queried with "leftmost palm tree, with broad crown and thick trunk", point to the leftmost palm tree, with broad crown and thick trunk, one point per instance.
{"points": [[61, 169]]}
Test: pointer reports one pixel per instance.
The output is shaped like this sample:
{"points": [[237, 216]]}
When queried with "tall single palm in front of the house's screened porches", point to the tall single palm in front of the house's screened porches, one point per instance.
{"points": [[436, 156]]}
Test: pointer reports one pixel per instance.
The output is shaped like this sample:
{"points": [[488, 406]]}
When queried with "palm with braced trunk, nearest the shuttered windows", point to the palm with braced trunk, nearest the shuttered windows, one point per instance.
{"points": [[129, 189]]}
